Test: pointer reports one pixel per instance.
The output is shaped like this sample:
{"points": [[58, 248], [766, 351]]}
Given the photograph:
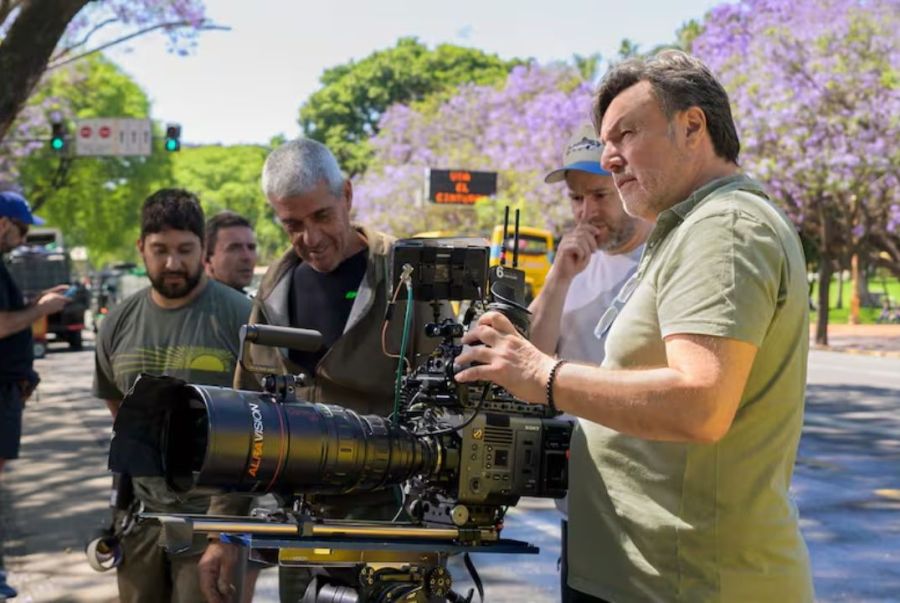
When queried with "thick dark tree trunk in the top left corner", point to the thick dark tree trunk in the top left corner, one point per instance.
{"points": [[27, 48]]}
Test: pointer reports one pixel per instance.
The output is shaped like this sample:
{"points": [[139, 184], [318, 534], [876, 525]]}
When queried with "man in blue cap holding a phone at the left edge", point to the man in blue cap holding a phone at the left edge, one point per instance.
{"points": [[17, 377]]}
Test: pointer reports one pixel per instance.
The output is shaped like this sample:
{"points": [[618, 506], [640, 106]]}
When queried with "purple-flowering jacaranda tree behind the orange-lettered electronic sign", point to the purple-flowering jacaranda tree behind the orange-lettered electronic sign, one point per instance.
{"points": [[517, 129]]}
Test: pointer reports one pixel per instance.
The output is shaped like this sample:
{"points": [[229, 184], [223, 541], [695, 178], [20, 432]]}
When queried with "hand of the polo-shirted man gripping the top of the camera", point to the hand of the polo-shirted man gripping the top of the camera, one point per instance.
{"points": [[506, 358]]}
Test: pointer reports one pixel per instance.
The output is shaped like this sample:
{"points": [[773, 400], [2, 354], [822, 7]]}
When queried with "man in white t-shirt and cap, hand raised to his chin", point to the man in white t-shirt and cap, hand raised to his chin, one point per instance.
{"points": [[593, 262]]}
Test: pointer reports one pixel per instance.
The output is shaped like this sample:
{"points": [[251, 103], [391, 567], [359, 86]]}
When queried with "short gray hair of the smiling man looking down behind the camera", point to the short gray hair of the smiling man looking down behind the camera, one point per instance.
{"points": [[297, 167]]}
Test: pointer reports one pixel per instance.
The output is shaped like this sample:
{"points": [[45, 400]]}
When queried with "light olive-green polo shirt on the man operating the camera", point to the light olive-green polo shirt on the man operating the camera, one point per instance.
{"points": [[672, 521]]}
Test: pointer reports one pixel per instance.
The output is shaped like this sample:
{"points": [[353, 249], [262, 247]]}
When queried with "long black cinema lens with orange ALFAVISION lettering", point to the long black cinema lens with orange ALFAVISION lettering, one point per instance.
{"points": [[220, 439]]}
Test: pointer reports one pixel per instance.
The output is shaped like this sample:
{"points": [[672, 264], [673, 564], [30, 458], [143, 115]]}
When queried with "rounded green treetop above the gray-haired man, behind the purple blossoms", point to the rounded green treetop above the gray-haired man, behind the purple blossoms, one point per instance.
{"points": [[346, 111]]}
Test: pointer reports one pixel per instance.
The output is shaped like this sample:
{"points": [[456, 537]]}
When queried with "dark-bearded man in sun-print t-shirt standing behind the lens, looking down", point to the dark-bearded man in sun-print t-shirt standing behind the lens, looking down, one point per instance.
{"points": [[184, 325]]}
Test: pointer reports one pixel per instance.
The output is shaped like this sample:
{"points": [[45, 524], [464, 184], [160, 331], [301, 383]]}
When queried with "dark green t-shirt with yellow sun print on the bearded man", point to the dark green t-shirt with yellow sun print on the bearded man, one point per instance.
{"points": [[198, 343]]}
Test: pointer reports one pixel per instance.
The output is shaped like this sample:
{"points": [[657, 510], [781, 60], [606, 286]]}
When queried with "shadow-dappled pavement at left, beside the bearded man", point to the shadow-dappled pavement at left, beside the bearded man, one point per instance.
{"points": [[55, 495]]}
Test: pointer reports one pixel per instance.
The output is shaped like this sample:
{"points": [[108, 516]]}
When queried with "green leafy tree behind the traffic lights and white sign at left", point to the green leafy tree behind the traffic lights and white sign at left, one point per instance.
{"points": [[97, 202]]}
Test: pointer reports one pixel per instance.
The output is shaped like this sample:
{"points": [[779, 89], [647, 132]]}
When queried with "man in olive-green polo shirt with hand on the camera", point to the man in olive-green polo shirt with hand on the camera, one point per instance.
{"points": [[679, 476]]}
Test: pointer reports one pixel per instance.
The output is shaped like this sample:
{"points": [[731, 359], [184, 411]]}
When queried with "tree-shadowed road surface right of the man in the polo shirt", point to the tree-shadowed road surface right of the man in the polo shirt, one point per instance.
{"points": [[847, 480]]}
